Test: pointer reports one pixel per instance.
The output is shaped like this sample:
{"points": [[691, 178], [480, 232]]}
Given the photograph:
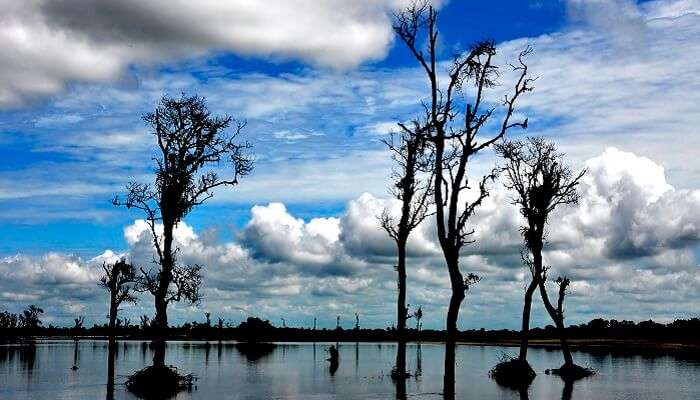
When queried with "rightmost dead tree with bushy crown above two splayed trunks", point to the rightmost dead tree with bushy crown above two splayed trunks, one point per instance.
{"points": [[535, 171]]}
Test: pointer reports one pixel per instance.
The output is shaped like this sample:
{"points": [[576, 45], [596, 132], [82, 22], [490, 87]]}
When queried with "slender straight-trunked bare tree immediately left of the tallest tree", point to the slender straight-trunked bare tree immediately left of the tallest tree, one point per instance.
{"points": [[414, 190]]}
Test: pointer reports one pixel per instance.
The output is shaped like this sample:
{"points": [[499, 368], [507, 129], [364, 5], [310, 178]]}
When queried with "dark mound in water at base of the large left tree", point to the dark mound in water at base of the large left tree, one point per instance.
{"points": [[159, 382]]}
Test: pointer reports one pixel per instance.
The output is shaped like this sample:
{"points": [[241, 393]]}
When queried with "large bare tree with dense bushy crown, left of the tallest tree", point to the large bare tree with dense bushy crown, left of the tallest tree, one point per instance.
{"points": [[191, 141]]}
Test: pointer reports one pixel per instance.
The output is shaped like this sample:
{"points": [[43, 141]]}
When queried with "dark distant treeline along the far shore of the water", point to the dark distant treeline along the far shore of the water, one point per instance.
{"points": [[28, 324]]}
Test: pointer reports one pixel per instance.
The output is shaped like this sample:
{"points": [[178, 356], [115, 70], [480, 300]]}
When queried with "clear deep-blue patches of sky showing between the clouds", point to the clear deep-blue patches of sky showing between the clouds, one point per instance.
{"points": [[28, 138]]}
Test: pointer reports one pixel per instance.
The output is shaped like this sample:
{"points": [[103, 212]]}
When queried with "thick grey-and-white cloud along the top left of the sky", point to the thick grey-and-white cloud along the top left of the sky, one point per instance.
{"points": [[47, 44]]}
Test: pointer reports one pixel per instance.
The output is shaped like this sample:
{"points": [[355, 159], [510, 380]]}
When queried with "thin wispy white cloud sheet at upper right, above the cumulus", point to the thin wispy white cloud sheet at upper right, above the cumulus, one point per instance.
{"points": [[627, 77]]}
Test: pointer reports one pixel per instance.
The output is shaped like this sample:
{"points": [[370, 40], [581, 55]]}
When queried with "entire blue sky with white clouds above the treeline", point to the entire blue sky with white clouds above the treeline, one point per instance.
{"points": [[320, 83]]}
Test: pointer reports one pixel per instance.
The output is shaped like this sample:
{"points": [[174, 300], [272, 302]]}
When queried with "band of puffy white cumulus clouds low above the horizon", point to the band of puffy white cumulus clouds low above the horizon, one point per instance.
{"points": [[631, 241]]}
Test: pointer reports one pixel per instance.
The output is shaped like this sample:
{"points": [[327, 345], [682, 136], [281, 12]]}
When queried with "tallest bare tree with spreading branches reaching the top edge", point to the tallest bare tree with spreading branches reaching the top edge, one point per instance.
{"points": [[456, 142]]}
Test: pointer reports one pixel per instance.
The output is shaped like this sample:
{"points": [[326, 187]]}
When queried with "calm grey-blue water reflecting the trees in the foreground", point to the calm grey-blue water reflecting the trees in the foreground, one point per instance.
{"points": [[299, 371]]}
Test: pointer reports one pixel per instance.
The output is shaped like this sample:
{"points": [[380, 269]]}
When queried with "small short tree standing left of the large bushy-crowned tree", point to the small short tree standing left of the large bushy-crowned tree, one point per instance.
{"points": [[119, 279]]}
